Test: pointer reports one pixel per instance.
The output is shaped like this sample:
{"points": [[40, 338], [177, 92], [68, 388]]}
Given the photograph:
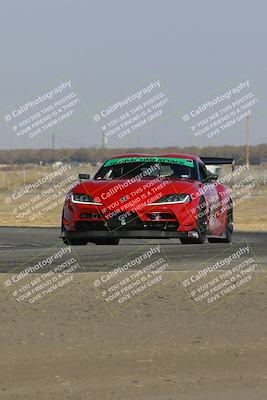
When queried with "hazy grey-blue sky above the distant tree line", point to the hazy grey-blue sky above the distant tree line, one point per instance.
{"points": [[193, 52]]}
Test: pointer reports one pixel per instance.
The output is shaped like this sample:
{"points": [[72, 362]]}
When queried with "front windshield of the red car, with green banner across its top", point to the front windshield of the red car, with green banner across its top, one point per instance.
{"points": [[147, 168]]}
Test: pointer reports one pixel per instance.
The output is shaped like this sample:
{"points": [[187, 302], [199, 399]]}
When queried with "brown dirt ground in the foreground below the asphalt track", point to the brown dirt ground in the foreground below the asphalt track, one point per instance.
{"points": [[157, 348]]}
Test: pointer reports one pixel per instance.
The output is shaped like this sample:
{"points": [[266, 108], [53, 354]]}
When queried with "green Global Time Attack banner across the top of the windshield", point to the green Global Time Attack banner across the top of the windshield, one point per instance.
{"points": [[168, 160]]}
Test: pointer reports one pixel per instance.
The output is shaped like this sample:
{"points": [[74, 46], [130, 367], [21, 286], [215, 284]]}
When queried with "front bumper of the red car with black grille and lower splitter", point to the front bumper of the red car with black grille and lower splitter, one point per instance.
{"points": [[133, 225]]}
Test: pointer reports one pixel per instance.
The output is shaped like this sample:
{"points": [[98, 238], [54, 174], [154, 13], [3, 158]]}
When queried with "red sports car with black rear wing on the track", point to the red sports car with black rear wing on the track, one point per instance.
{"points": [[149, 196]]}
